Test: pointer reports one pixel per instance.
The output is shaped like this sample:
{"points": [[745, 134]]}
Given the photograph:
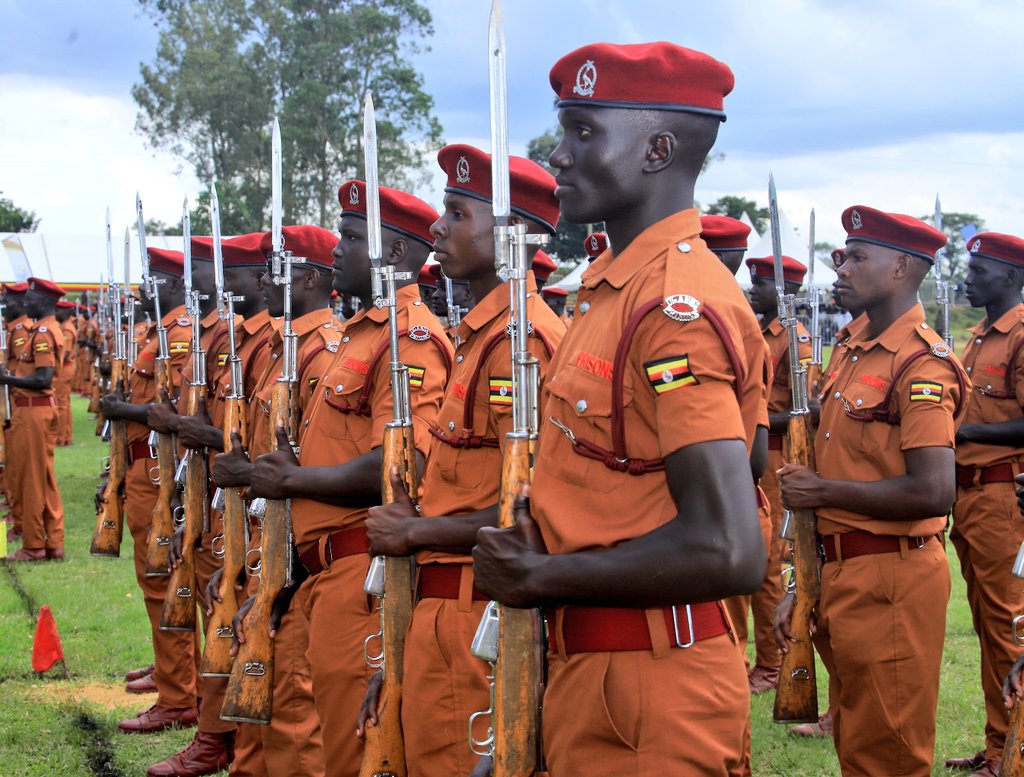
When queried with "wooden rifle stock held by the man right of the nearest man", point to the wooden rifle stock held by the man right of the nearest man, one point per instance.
{"points": [[797, 697]]}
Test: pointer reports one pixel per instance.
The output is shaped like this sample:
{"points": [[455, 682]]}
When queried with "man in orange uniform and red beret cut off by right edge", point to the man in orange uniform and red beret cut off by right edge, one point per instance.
{"points": [[987, 531]]}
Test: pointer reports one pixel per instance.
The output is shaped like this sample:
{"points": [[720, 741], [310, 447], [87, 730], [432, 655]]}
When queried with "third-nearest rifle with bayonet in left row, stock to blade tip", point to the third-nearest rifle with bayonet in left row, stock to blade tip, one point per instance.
{"points": [[249, 698]]}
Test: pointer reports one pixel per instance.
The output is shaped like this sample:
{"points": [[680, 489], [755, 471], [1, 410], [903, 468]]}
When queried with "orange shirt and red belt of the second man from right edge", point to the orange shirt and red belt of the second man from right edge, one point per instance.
{"points": [[925, 397]]}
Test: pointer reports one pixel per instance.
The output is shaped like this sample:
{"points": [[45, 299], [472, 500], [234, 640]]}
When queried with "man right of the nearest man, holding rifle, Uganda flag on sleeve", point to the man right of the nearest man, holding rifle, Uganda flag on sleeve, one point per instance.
{"points": [[890, 404]]}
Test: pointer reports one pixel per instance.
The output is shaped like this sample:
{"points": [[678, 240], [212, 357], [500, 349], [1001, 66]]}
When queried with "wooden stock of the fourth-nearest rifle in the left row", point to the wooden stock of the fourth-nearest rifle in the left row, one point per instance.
{"points": [[217, 655]]}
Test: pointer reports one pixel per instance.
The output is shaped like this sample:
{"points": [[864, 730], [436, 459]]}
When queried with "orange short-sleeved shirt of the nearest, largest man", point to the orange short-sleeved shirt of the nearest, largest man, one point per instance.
{"points": [[679, 384]]}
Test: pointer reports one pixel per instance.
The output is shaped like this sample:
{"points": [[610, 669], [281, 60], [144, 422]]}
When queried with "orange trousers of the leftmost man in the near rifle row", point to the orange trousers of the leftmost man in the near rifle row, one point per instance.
{"points": [[175, 653]]}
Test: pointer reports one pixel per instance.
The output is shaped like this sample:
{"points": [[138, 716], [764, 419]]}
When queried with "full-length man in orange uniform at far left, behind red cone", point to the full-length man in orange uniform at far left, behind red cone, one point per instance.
{"points": [[34, 428]]}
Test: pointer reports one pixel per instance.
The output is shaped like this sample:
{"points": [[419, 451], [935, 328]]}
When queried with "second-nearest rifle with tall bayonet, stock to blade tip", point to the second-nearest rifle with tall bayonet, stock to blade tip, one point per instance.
{"points": [[391, 580]]}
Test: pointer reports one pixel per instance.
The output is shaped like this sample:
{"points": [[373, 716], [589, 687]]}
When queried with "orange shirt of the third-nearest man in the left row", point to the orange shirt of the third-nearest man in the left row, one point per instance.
{"points": [[352, 402]]}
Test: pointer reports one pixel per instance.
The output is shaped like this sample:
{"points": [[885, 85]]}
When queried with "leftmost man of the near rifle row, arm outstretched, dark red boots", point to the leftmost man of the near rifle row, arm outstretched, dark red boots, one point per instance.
{"points": [[173, 676]]}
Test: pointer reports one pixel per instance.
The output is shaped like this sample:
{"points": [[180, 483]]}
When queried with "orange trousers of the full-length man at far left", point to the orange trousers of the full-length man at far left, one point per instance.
{"points": [[31, 477]]}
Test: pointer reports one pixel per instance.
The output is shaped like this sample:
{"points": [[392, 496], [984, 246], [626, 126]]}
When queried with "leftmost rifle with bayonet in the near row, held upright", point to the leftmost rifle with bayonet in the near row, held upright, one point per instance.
{"points": [[110, 510]]}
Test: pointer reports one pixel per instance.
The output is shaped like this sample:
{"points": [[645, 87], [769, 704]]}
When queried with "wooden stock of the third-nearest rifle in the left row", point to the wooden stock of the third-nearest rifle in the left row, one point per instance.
{"points": [[249, 697]]}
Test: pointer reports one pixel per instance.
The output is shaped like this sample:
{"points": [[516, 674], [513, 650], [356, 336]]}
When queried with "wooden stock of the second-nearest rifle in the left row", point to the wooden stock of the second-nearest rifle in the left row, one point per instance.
{"points": [[385, 751]]}
